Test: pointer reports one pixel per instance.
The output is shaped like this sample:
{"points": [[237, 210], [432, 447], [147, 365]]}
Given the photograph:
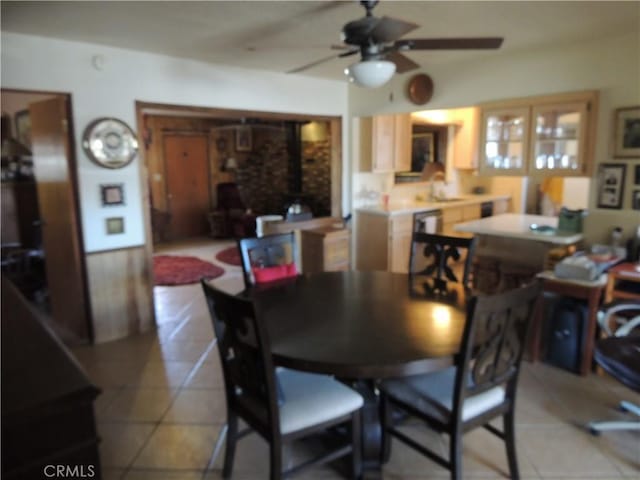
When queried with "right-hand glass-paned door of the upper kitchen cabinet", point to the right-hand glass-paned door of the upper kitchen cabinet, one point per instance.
{"points": [[558, 138]]}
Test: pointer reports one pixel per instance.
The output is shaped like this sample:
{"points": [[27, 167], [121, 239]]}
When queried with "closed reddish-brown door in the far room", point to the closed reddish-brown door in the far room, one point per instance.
{"points": [[187, 174]]}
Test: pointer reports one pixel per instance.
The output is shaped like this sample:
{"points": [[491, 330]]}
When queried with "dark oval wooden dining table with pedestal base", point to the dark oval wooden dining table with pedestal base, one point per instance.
{"points": [[361, 327]]}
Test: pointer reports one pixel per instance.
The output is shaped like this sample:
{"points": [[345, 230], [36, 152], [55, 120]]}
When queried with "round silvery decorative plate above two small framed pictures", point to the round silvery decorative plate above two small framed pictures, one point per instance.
{"points": [[110, 142]]}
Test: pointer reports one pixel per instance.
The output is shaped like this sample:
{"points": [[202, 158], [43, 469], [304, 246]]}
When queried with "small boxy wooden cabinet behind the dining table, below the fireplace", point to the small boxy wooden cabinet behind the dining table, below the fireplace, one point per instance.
{"points": [[325, 249]]}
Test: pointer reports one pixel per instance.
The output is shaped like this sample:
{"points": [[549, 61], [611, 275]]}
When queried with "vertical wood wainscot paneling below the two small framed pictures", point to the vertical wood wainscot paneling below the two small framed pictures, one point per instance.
{"points": [[119, 284]]}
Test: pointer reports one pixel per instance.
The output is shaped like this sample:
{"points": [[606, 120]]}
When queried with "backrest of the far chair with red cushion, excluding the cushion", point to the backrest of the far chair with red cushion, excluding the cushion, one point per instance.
{"points": [[266, 251]]}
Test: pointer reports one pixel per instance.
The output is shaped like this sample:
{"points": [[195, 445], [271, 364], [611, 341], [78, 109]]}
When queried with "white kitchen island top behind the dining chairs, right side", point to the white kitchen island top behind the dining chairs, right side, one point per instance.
{"points": [[514, 225]]}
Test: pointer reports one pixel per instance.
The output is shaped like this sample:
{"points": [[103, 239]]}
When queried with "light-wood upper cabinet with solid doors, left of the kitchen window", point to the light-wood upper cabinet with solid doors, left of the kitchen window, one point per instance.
{"points": [[385, 143]]}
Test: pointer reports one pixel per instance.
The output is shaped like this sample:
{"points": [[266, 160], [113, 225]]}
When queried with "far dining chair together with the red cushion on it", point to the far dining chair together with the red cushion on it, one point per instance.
{"points": [[268, 258]]}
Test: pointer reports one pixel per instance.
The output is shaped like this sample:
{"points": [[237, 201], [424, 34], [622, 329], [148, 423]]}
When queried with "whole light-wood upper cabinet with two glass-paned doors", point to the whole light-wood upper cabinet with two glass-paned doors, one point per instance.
{"points": [[551, 135]]}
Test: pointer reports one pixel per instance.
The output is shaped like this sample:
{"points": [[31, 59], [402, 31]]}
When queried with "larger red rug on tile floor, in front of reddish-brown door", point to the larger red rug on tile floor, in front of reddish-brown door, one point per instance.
{"points": [[175, 270]]}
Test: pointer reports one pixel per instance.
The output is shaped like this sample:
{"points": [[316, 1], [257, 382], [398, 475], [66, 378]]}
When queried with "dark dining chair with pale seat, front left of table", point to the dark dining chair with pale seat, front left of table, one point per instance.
{"points": [[281, 405]]}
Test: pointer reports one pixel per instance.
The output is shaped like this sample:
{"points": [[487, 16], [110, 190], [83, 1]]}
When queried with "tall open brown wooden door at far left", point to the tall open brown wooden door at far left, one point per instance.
{"points": [[54, 167]]}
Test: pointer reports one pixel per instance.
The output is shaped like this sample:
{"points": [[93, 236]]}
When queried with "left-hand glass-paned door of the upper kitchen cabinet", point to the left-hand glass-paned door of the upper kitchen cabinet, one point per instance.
{"points": [[504, 140]]}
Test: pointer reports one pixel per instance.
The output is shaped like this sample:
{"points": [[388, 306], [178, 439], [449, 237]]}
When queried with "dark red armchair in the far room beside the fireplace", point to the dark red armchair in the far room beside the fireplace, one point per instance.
{"points": [[232, 218]]}
